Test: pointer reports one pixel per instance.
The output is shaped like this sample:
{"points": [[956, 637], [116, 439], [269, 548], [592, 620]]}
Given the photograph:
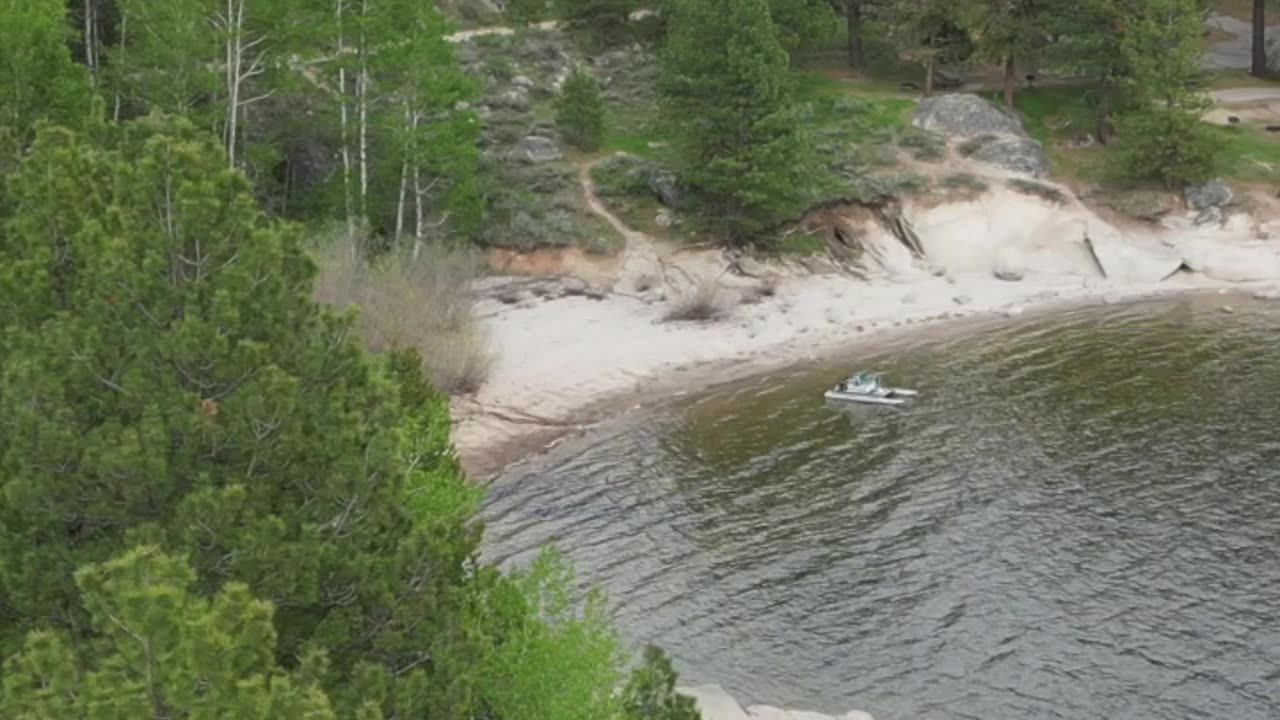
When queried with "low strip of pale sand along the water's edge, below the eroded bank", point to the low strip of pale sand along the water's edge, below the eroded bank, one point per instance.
{"points": [[495, 441]]}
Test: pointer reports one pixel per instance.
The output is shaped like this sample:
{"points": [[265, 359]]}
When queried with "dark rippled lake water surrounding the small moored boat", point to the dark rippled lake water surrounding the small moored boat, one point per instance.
{"points": [[1081, 518]]}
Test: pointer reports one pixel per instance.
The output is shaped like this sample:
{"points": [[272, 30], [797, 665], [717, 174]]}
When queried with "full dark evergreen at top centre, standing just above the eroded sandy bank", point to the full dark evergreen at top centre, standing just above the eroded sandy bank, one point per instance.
{"points": [[733, 122]]}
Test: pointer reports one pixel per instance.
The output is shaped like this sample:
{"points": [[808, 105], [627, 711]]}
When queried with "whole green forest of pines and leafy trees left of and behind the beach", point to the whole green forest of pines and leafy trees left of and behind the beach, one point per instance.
{"points": [[218, 498]]}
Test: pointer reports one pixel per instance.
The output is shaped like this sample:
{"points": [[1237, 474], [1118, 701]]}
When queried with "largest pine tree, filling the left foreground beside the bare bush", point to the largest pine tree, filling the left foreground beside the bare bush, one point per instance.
{"points": [[166, 377]]}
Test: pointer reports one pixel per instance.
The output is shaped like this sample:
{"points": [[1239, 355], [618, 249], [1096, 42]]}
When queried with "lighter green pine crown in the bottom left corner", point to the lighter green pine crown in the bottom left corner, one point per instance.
{"points": [[159, 650]]}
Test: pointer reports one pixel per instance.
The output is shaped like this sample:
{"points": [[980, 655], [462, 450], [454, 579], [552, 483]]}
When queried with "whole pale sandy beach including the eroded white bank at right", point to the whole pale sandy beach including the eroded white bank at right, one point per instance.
{"points": [[565, 363]]}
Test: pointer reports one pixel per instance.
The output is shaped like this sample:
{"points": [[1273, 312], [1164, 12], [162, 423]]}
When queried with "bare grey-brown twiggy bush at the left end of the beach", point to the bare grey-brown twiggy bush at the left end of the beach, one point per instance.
{"points": [[419, 303]]}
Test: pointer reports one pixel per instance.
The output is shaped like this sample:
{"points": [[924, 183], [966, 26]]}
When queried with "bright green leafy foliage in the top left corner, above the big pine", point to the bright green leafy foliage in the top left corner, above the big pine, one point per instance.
{"points": [[39, 81]]}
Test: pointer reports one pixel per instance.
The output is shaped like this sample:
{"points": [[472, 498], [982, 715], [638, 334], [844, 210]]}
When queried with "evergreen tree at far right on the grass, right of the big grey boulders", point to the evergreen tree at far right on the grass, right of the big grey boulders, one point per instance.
{"points": [[1162, 135]]}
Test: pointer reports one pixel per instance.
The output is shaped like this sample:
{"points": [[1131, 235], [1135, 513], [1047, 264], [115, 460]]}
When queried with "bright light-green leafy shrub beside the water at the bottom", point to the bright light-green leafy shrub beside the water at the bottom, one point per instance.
{"points": [[552, 659]]}
